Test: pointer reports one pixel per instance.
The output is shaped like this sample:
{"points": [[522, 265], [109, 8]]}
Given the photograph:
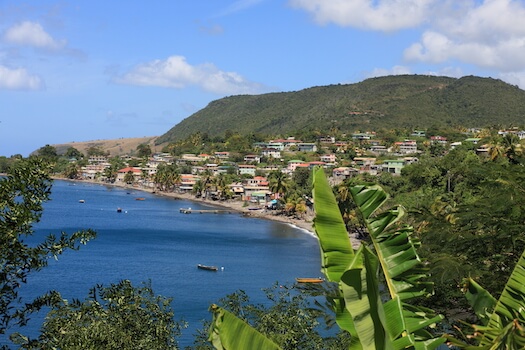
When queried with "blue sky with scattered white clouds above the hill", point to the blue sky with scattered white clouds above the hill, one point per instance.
{"points": [[90, 69]]}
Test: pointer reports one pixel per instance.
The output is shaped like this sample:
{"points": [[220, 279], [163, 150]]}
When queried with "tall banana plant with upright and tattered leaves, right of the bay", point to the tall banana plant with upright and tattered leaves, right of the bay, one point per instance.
{"points": [[374, 324]]}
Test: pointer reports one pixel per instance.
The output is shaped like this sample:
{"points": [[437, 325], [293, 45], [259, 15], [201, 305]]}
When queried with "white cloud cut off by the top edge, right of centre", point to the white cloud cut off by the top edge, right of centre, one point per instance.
{"points": [[384, 15]]}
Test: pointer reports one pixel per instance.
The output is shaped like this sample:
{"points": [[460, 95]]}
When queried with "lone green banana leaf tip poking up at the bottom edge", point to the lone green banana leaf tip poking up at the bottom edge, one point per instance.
{"points": [[229, 332]]}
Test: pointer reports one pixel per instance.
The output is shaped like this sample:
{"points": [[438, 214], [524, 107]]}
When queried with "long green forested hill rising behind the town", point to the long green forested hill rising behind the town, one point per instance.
{"points": [[409, 101]]}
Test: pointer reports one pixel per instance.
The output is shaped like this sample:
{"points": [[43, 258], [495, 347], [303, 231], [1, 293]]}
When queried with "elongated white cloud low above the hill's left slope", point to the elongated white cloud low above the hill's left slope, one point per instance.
{"points": [[175, 72]]}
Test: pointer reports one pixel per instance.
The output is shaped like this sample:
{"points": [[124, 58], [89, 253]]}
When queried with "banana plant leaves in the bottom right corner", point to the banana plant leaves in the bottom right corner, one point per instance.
{"points": [[502, 320]]}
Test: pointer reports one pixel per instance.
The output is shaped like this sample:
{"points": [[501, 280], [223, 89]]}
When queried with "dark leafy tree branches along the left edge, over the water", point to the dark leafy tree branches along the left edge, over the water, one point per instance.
{"points": [[22, 194]]}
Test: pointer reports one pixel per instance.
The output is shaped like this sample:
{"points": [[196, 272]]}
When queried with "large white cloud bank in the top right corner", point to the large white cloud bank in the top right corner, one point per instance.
{"points": [[488, 35]]}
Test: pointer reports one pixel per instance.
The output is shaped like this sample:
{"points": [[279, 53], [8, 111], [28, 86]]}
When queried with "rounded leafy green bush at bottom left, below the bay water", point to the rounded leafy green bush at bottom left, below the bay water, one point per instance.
{"points": [[116, 317]]}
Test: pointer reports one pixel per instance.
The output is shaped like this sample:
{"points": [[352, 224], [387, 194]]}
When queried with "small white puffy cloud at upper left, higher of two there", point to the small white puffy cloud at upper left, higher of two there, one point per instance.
{"points": [[32, 34]]}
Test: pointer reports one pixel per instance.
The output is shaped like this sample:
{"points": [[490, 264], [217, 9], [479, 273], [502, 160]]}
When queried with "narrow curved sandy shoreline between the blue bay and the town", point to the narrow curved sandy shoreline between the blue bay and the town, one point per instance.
{"points": [[305, 224]]}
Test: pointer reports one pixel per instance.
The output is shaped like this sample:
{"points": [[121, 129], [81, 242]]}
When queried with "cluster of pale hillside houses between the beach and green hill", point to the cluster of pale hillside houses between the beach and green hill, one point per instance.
{"points": [[369, 148]]}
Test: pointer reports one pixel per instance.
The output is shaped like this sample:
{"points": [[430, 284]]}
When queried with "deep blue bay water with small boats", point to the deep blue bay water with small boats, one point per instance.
{"points": [[151, 240]]}
